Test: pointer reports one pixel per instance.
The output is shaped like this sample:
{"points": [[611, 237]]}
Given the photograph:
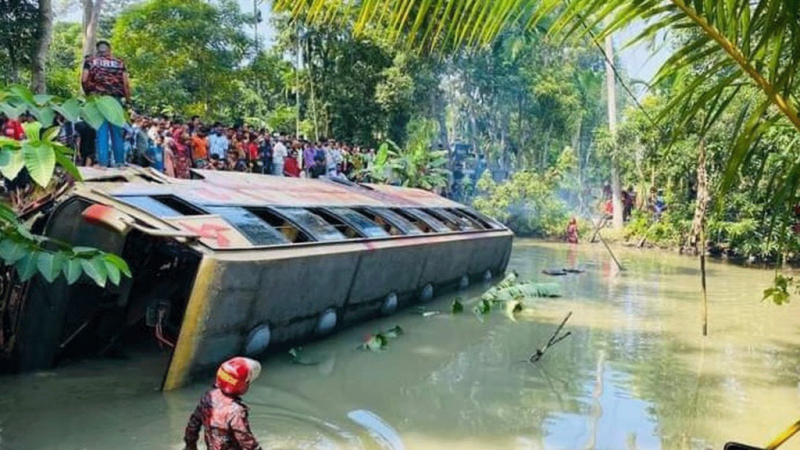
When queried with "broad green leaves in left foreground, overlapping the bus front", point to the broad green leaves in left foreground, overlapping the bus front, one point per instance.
{"points": [[40, 158]]}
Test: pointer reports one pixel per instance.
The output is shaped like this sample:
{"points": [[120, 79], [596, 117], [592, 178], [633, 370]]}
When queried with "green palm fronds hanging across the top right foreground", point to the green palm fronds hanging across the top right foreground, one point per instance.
{"points": [[748, 42]]}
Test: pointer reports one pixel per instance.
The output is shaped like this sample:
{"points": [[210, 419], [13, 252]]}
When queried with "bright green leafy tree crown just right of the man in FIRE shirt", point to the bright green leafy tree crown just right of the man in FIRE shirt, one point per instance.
{"points": [[184, 56]]}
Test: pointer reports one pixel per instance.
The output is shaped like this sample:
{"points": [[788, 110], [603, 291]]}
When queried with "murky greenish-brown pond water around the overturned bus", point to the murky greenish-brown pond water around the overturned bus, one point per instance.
{"points": [[635, 374]]}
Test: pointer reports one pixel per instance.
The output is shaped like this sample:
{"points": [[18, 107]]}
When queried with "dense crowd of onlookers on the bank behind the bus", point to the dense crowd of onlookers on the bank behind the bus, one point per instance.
{"points": [[175, 147]]}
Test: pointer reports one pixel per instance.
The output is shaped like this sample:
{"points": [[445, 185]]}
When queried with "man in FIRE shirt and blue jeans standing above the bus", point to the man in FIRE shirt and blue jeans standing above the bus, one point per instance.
{"points": [[105, 74]]}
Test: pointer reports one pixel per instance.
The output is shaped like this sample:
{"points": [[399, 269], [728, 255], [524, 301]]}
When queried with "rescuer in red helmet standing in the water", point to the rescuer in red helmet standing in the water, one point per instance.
{"points": [[221, 411]]}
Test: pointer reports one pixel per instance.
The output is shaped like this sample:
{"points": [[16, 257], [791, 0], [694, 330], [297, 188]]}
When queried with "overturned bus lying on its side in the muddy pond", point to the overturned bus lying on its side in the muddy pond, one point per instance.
{"points": [[231, 263]]}
